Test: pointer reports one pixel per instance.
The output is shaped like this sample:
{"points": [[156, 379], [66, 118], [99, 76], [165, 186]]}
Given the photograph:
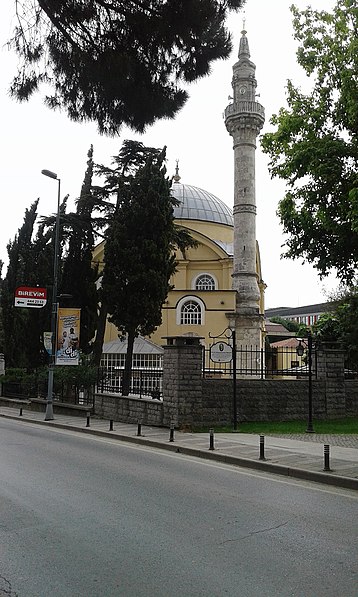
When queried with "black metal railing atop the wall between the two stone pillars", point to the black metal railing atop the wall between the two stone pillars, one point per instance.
{"points": [[265, 363]]}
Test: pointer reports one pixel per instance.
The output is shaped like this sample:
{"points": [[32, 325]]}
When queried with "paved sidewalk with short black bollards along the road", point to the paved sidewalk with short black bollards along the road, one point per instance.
{"points": [[294, 456]]}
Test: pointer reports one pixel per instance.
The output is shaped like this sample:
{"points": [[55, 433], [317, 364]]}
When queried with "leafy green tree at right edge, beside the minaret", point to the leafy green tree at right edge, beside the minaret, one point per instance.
{"points": [[314, 147]]}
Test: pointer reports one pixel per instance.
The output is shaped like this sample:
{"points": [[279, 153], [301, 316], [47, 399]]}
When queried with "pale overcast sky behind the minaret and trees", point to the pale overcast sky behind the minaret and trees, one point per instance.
{"points": [[34, 138]]}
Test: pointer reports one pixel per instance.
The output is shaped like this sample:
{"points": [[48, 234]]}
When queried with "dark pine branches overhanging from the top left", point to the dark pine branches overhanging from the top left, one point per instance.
{"points": [[120, 61]]}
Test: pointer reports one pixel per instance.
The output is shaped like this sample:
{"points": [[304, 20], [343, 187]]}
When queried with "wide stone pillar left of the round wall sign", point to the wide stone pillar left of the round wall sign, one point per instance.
{"points": [[182, 381]]}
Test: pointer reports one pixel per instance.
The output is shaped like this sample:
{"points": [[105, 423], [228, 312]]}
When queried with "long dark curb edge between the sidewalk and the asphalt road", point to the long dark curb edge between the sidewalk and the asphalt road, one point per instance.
{"points": [[262, 465]]}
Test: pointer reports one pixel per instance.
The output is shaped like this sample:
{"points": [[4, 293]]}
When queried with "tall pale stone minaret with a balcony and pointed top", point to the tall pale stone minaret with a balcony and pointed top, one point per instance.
{"points": [[244, 119]]}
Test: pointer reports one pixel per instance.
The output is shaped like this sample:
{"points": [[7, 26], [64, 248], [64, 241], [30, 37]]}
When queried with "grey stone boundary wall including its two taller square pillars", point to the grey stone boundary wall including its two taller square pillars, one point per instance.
{"points": [[189, 400]]}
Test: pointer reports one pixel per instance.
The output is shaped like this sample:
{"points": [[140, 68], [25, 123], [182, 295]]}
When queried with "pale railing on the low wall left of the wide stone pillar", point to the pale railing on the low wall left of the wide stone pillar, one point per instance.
{"points": [[144, 382]]}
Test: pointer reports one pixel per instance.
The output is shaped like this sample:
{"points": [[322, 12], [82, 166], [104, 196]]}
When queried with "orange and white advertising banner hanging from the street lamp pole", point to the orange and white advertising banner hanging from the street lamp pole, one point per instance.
{"points": [[68, 336]]}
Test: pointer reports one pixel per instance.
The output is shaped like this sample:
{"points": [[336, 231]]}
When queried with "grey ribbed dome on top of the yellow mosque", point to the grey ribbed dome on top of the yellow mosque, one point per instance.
{"points": [[196, 204]]}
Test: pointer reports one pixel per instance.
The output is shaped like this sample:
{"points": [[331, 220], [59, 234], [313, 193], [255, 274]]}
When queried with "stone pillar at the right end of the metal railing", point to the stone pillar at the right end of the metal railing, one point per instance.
{"points": [[330, 370]]}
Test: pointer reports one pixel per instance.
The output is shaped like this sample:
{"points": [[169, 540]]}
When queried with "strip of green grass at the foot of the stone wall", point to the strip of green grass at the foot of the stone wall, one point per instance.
{"points": [[345, 426]]}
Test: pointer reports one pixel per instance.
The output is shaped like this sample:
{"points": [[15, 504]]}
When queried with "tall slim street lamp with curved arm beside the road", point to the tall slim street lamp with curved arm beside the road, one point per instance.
{"points": [[49, 404]]}
